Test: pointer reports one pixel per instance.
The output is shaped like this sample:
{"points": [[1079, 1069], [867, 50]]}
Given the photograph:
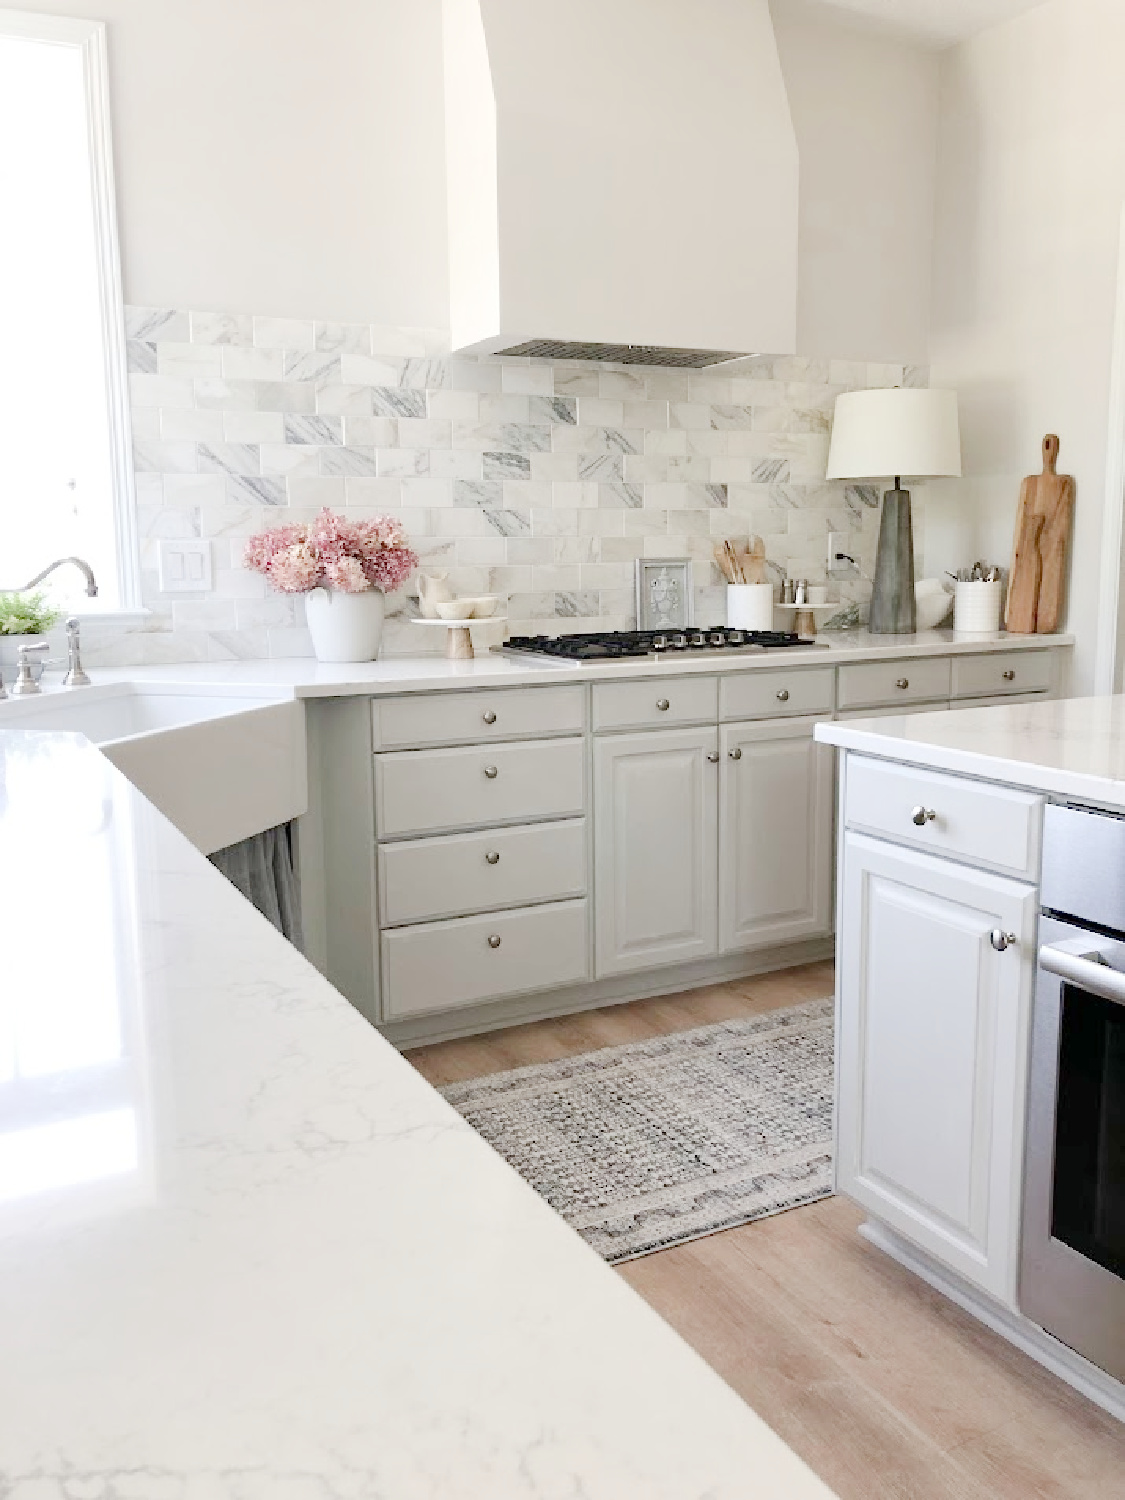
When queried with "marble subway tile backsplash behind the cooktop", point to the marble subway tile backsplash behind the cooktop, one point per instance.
{"points": [[532, 479]]}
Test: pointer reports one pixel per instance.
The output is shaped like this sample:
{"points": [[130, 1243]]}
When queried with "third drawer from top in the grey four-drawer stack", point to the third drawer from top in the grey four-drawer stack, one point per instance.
{"points": [[430, 878]]}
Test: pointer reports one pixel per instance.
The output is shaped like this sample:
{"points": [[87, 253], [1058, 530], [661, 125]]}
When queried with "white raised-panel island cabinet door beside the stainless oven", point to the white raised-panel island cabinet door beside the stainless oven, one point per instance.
{"points": [[932, 1054]]}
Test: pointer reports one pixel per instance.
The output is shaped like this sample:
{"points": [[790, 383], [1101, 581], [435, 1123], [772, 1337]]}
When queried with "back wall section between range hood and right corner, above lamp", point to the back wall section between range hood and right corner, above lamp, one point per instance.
{"points": [[865, 110]]}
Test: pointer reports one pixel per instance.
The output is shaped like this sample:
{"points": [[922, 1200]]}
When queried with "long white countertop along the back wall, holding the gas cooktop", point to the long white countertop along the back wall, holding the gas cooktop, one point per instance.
{"points": [[308, 679]]}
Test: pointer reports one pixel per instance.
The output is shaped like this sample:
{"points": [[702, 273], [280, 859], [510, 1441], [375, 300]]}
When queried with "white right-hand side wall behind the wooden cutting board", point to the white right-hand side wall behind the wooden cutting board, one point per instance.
{"points": [[1030, 197]]}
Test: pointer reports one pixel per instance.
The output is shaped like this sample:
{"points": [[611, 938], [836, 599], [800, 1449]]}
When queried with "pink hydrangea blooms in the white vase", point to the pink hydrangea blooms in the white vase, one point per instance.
{"points": [[334, 553]]}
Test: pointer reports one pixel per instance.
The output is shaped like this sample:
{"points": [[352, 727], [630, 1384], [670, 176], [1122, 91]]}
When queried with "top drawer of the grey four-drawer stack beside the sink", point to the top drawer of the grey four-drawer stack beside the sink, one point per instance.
{"points": [[509, 713]]}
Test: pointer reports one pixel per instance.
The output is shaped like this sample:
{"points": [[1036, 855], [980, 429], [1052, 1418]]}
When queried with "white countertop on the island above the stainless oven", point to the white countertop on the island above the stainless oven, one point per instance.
{"points": [[1072, 748]]}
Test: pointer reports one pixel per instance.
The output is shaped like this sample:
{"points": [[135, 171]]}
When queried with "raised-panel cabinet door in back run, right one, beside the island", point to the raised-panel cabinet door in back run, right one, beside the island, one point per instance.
{"points": [[775, 835]]}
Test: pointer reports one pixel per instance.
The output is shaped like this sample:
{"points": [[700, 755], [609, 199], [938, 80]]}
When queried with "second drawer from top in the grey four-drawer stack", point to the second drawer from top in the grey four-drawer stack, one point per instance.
{"points": [[431, 791]]}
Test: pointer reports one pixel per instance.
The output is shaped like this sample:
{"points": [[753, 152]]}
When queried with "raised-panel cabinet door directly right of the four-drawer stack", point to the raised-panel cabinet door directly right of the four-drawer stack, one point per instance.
{"points": [[656, 860]]}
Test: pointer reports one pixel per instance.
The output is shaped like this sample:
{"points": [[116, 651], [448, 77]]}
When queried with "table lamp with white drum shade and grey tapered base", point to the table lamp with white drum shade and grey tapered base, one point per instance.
{"points": [[893, 433]]}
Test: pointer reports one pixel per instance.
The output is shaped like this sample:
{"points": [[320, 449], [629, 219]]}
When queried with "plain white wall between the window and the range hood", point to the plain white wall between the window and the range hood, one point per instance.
{"points": [[280, 155]]}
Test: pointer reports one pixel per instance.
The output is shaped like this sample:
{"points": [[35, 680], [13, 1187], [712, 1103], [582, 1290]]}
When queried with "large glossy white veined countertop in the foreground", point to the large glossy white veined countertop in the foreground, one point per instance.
{"points": [[247, 1253]]}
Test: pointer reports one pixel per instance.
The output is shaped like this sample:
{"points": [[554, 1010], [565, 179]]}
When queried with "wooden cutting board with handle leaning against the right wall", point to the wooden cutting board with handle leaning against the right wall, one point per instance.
{"points": [[1039, 566]]}
